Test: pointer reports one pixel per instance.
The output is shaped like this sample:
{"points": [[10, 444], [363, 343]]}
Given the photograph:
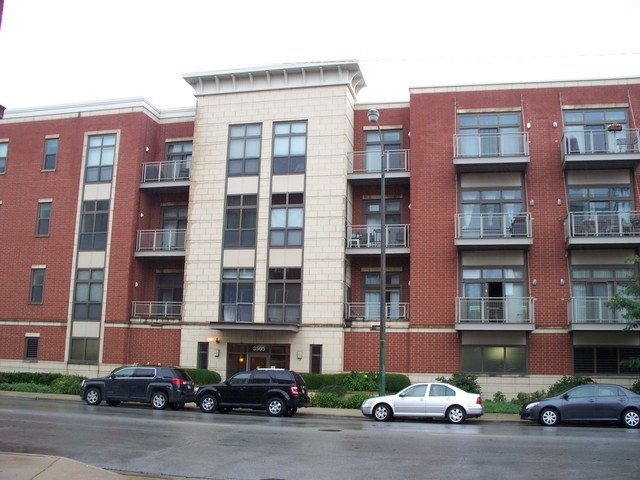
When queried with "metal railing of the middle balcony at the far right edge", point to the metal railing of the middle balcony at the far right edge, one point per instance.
{"points": [[602, 224]]}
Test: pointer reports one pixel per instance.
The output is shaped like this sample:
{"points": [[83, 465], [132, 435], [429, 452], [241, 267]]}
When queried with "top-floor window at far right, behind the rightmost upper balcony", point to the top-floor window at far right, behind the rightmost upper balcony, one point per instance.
{"points": [[587, 131]]}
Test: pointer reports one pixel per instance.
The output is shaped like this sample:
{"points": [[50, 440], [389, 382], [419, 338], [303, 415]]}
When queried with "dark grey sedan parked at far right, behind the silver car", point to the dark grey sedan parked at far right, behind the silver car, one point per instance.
{"points": [[586, 403]]}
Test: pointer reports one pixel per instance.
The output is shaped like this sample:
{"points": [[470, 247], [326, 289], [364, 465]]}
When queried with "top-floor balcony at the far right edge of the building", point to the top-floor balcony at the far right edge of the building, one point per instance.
{"points": [[595, 149]]}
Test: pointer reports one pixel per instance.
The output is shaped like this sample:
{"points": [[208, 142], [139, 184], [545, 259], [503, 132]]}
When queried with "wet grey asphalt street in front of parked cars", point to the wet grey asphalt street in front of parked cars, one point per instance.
{"points": [[252, 446]]}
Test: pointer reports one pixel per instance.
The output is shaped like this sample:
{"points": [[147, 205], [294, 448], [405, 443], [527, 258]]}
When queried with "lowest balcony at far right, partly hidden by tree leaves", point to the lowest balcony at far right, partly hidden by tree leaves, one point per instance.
{"points": [[593, 314]]}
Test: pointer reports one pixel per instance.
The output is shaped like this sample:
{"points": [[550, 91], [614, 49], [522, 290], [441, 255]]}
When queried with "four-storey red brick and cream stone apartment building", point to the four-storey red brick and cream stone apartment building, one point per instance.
{"points": [[247, 232]]}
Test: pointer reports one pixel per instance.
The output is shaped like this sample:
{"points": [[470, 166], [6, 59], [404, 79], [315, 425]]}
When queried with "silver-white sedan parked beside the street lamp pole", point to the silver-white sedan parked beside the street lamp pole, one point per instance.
{"points": [[432, 400]]}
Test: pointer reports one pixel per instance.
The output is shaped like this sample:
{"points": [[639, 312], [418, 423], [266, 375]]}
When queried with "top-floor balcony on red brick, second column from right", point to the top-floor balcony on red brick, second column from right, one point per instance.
{"points": [[494, 152]]}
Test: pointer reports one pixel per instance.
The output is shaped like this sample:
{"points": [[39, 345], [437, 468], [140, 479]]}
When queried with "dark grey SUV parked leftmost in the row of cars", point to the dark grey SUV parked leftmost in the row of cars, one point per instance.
{"points": [[158, 385]]}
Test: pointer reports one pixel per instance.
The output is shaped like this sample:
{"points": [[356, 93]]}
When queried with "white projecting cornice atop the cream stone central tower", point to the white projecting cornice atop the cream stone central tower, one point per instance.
{"points": [[276, 77]]}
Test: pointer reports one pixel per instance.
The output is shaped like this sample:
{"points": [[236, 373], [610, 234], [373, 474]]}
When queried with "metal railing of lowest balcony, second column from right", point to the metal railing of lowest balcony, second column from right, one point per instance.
{"points": [[508, 310]]}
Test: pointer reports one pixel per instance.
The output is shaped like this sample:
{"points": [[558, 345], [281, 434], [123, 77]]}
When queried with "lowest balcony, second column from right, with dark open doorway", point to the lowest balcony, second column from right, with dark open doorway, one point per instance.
{"points": [[495, 313]]}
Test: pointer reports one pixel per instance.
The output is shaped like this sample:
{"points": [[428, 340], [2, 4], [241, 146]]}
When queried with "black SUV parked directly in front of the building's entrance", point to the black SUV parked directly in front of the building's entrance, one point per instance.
{"points": [[278, 391]]}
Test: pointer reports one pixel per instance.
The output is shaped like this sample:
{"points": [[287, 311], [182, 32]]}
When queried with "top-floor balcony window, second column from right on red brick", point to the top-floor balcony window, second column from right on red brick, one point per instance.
{"points": [[489, 135]]}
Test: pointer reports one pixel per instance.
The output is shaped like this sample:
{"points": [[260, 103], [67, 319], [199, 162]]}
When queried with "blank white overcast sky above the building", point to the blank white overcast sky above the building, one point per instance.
{"points": [[66, 51]]}
